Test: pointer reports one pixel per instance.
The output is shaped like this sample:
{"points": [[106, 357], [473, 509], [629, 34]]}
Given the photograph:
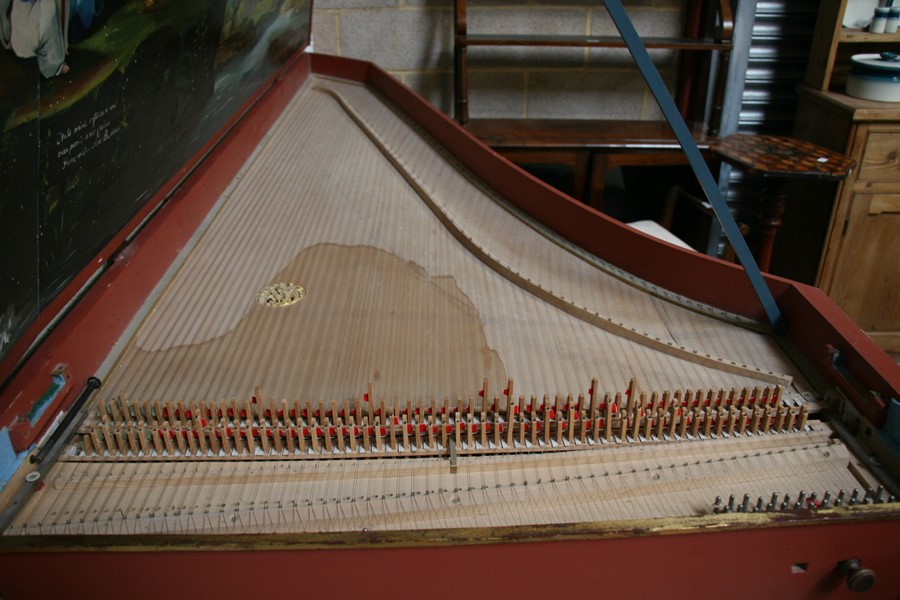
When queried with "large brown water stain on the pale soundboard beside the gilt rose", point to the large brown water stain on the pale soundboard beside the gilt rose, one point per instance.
{"points": [[367, 317]]}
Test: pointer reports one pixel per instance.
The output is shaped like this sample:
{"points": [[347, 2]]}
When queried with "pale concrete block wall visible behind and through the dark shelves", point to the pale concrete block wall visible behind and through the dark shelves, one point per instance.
{"points": [[413, 40]]}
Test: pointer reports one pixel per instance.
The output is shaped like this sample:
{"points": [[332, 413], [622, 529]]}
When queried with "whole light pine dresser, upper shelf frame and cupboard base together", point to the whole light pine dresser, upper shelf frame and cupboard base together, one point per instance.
{"points": [[859, 266]]}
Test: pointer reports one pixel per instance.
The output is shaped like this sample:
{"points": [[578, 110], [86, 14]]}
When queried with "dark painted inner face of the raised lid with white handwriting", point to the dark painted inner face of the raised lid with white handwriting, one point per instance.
{"points": [[86, 145]]}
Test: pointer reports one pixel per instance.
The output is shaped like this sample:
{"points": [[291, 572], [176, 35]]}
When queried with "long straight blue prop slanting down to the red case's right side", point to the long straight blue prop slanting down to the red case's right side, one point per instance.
{"points": [[699, 166]]}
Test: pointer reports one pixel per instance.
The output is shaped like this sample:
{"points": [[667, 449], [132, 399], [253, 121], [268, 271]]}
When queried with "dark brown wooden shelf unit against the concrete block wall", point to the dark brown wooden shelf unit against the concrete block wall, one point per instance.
{"points": [[591, 147]]}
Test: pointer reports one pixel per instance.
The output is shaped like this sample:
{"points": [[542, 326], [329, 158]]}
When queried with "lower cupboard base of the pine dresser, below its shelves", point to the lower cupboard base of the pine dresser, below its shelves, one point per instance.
{"points": [[860, 264]]}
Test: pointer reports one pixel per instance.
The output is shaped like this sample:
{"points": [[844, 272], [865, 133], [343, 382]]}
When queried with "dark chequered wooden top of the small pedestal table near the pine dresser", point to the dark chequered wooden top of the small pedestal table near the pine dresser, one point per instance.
{"points": [[783, 156]]}
